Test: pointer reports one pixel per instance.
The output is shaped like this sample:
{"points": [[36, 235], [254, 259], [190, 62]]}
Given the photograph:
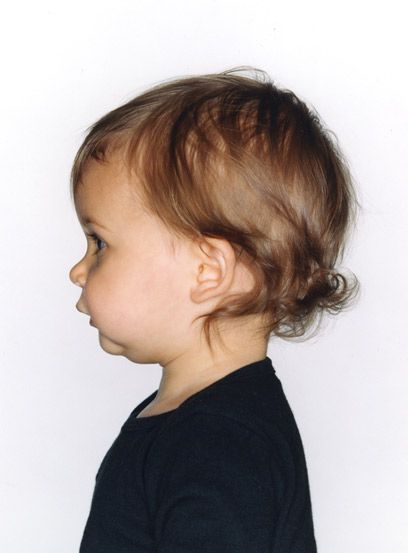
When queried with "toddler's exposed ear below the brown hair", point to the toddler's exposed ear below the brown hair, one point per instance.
{"points": [[214, 269]]}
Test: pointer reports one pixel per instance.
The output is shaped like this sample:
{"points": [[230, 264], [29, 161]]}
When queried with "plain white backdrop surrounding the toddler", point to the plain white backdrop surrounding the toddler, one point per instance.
{"points": [[63, 399]]}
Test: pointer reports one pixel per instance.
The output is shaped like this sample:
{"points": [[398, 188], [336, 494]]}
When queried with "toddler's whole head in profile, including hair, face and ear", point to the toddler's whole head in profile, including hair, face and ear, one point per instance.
{"points": [[215, 203]]}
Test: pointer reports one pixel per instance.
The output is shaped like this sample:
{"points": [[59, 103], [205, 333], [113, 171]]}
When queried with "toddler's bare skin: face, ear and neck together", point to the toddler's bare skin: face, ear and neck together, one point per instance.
{"points": [[142, 297]]}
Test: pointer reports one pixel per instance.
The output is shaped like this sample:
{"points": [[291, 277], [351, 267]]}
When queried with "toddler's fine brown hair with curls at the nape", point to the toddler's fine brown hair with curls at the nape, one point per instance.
{"points": [[236, 157]]}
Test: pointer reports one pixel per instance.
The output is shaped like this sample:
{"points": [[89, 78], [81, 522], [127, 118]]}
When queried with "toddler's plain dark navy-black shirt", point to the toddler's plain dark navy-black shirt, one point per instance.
{"points": [[222, 473]]}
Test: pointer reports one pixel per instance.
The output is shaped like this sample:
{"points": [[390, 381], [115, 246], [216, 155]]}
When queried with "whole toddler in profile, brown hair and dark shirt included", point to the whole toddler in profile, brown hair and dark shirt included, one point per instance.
{"points": [[217, 204]]}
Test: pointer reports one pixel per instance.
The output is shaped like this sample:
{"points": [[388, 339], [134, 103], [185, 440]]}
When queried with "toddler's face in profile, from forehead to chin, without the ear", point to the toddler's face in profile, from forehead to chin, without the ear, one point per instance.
{"points": [[134, 287]]}
